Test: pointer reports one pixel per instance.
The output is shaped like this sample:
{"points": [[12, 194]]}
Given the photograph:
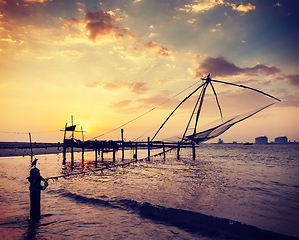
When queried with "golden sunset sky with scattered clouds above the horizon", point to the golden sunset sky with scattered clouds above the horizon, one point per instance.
{"points": [[128, 63]]}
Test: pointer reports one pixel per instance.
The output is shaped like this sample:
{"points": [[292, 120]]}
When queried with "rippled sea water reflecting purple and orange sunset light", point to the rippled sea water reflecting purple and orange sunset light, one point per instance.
{"points": [[230, 191]]}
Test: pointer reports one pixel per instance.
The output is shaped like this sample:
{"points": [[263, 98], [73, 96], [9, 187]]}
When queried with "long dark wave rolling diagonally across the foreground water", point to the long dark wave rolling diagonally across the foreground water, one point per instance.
{"points": [[194, 222]]}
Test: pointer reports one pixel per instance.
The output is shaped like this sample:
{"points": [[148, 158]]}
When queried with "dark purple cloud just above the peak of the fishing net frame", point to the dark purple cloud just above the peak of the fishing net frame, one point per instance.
{"points": [[220, 67]]}
